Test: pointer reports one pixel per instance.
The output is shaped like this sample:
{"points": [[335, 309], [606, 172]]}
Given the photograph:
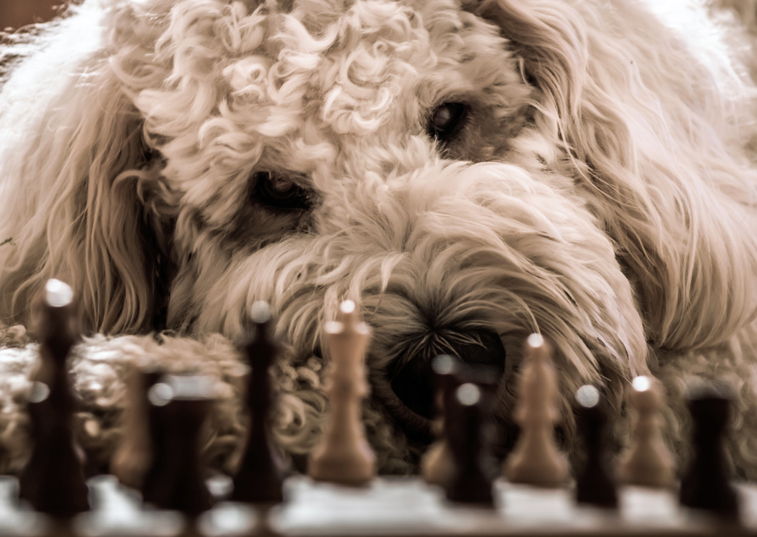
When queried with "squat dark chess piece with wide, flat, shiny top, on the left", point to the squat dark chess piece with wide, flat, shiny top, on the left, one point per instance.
{"points": [[175, 480]]}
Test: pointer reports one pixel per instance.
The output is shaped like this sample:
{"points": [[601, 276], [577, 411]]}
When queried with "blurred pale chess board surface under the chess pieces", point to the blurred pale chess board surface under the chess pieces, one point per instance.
{"points": [[390, 507]]}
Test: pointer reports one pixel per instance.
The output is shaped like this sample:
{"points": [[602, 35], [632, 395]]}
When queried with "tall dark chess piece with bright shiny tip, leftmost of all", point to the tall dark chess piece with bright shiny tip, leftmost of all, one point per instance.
{"points": [[53, 481]]}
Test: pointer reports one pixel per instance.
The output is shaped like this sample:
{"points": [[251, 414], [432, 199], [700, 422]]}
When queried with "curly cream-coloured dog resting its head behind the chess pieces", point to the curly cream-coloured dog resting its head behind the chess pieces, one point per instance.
{"points": [[467, 171]]}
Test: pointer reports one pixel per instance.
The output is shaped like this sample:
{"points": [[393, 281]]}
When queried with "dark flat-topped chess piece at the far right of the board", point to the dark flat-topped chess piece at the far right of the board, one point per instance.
{"points": [[705, 485]]}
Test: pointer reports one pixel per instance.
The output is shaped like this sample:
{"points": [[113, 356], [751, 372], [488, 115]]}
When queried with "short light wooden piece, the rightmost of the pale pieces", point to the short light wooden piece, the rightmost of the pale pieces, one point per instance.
{"points": [[648, 461]]}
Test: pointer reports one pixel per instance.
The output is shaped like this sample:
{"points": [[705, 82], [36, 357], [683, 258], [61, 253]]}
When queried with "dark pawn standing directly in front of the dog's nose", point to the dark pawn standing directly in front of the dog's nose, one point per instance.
{"points": [[470, 479]]}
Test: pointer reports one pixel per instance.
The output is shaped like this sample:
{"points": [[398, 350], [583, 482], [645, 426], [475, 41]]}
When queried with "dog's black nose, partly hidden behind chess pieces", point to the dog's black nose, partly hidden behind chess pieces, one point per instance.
{"points": [[412, 379]]}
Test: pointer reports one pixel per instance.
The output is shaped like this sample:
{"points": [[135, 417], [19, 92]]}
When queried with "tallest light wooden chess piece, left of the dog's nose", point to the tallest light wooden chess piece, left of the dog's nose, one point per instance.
{"points": [[344, 456]]}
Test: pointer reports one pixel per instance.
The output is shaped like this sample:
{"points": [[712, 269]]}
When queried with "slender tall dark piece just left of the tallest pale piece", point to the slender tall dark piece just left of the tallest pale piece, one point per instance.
{"points": [[260, 476]]}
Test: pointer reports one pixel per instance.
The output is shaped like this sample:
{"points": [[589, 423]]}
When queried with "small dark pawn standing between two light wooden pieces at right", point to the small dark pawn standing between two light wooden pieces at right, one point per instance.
{"points": [[594, 484]]}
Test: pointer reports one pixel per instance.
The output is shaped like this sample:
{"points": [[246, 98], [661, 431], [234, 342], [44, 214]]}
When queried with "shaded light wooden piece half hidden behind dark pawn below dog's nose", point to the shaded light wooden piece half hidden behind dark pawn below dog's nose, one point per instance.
{"points": [[436, 464]]}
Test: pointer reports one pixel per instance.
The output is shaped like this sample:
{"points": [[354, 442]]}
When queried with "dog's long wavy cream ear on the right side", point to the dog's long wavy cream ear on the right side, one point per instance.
{"points": [[649, 126]]}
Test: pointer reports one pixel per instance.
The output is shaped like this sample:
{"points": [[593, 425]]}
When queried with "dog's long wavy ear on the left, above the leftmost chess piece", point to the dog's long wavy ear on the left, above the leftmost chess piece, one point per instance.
{"points": [[77, 179]]}
